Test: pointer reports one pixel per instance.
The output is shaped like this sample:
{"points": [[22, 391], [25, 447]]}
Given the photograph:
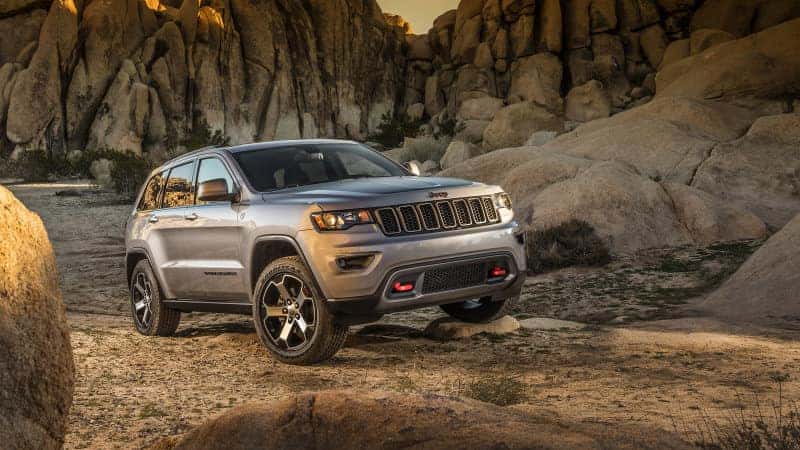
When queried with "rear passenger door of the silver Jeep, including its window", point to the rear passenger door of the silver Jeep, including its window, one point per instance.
{"points": [[170, 245]]}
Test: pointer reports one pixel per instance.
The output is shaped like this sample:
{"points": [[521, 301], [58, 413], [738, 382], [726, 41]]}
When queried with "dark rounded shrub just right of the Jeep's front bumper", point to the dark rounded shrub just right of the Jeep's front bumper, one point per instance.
{"points": [[573, 243]]}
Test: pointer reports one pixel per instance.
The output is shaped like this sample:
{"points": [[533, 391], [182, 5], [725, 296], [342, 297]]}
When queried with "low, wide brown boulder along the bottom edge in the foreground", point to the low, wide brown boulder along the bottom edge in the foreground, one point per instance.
{"points": [[345, 419]]}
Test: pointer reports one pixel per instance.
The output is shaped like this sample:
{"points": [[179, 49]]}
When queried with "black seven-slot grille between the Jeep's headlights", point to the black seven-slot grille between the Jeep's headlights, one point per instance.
{"points": [[437, 216]]}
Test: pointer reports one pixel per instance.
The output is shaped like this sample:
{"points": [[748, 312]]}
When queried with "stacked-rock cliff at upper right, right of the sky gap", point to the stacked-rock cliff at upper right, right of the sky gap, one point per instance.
{"points": [[546, 64]]}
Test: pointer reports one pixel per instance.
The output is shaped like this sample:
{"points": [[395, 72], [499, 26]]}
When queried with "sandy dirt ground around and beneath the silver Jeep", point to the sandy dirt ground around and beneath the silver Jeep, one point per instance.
{"points": [[644, 357]]}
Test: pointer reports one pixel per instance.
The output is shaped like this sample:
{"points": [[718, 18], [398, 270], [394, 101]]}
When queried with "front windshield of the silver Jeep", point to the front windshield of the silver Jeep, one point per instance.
{"points": [[297, 165]]}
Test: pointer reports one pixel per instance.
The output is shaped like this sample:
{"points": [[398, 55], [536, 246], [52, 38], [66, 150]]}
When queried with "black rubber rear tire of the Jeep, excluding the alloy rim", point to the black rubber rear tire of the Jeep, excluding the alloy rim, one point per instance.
{"points": [[164, 320]]}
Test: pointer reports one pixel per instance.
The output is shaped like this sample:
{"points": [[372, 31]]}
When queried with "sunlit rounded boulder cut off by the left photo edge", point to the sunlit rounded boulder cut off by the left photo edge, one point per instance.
{"points": [[37, 373]]}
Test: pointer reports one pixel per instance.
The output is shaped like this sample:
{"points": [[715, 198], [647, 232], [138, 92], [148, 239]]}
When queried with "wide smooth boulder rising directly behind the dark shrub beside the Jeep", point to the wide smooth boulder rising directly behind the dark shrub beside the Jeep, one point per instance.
{"points": [[632, 212]]}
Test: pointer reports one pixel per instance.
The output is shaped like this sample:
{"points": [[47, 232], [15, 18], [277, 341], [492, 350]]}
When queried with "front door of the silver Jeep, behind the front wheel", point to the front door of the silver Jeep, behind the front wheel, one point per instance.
{"points": [[216, 265]]}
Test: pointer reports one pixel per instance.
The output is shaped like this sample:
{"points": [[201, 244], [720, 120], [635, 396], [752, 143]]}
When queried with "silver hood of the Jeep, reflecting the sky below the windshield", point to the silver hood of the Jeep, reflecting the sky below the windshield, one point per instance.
{"points": [[370, 191]]}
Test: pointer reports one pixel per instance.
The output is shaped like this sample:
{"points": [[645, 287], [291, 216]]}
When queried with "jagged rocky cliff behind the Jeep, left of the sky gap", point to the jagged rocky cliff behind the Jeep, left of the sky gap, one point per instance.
{"points": [[150, 75]]}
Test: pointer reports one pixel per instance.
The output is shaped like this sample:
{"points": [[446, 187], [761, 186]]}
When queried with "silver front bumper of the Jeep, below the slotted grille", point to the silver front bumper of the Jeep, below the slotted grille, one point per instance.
{"points": [[366, 289]]}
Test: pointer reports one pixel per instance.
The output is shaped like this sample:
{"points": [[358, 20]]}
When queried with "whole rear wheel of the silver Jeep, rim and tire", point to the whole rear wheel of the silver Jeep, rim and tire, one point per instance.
{"points": [[151, 316]]}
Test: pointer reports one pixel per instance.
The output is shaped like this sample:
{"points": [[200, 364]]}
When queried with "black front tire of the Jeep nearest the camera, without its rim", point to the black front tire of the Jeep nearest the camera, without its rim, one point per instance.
{"points": [[328, 336]]}
